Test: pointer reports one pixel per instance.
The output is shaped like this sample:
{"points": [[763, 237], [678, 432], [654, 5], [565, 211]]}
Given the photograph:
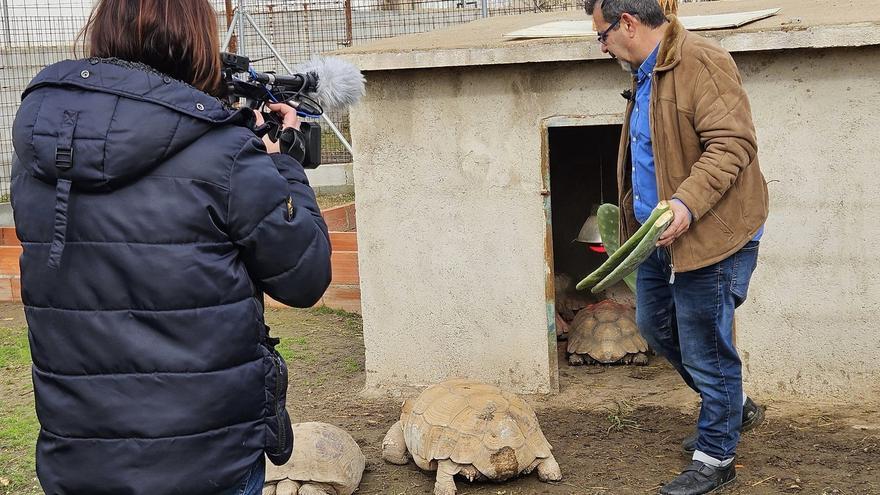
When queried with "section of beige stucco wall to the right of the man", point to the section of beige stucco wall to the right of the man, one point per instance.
{"points": [[811, 325]]}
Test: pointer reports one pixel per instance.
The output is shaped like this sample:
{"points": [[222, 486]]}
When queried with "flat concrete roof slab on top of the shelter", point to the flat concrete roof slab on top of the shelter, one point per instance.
{"points": [[800, 24]]}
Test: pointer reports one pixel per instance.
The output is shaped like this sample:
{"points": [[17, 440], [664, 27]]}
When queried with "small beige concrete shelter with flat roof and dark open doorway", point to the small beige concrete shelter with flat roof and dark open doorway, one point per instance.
{"points": [[478, 158]]}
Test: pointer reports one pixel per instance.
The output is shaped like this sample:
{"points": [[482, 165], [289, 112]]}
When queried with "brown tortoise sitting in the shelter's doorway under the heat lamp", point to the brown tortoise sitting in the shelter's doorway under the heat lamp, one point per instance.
{"points": [[606, 333]]}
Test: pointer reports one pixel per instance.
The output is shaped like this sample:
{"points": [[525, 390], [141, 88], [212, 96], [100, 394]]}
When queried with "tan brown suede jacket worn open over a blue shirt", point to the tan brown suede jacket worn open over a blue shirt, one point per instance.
{"points": [[705, 150]]}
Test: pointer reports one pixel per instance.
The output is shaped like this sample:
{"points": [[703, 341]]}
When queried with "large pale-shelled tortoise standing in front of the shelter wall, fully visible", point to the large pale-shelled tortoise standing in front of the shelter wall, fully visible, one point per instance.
{"points": [[472, 429]]}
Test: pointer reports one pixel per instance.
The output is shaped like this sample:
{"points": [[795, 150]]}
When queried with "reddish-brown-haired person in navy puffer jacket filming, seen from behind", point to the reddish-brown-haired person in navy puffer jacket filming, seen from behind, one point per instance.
{"points": [[152, 221]]}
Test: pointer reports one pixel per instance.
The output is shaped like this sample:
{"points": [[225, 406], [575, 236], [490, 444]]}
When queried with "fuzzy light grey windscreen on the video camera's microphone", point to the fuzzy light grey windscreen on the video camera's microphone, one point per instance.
{"points": [[340, 84]]}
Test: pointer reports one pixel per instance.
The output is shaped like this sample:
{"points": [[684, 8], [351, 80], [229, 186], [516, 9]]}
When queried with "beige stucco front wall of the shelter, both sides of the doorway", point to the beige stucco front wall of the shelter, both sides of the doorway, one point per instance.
{"points": [[452, 222]]}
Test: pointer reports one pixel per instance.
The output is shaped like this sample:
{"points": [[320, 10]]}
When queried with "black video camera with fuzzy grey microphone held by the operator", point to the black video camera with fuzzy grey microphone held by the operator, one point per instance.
{"points": [[328, 81]]}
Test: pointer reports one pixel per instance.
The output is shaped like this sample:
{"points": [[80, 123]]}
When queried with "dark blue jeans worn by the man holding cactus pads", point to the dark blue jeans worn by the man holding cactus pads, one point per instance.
{"points": [[690, 323]]}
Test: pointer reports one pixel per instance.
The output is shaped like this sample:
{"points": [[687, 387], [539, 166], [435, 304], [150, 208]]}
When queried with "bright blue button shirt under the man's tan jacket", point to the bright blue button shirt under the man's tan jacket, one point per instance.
{"points": [[644, 177]]}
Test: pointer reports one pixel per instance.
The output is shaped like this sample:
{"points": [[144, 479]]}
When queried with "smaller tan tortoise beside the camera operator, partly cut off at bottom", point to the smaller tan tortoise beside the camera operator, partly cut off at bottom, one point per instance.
{"points": [[325, 461]]}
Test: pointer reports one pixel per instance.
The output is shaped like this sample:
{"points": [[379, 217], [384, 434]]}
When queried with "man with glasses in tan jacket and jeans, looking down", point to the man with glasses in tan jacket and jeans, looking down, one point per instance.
{"points": [[688, 138]]}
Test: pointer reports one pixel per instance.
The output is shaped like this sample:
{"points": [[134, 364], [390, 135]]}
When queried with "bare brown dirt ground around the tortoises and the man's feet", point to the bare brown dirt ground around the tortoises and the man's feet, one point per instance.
{"points": [[614, 430]]}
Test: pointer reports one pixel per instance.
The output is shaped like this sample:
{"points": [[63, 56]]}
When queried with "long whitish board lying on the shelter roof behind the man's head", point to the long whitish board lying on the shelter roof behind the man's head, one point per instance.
{"points": [[580, 29]]}
